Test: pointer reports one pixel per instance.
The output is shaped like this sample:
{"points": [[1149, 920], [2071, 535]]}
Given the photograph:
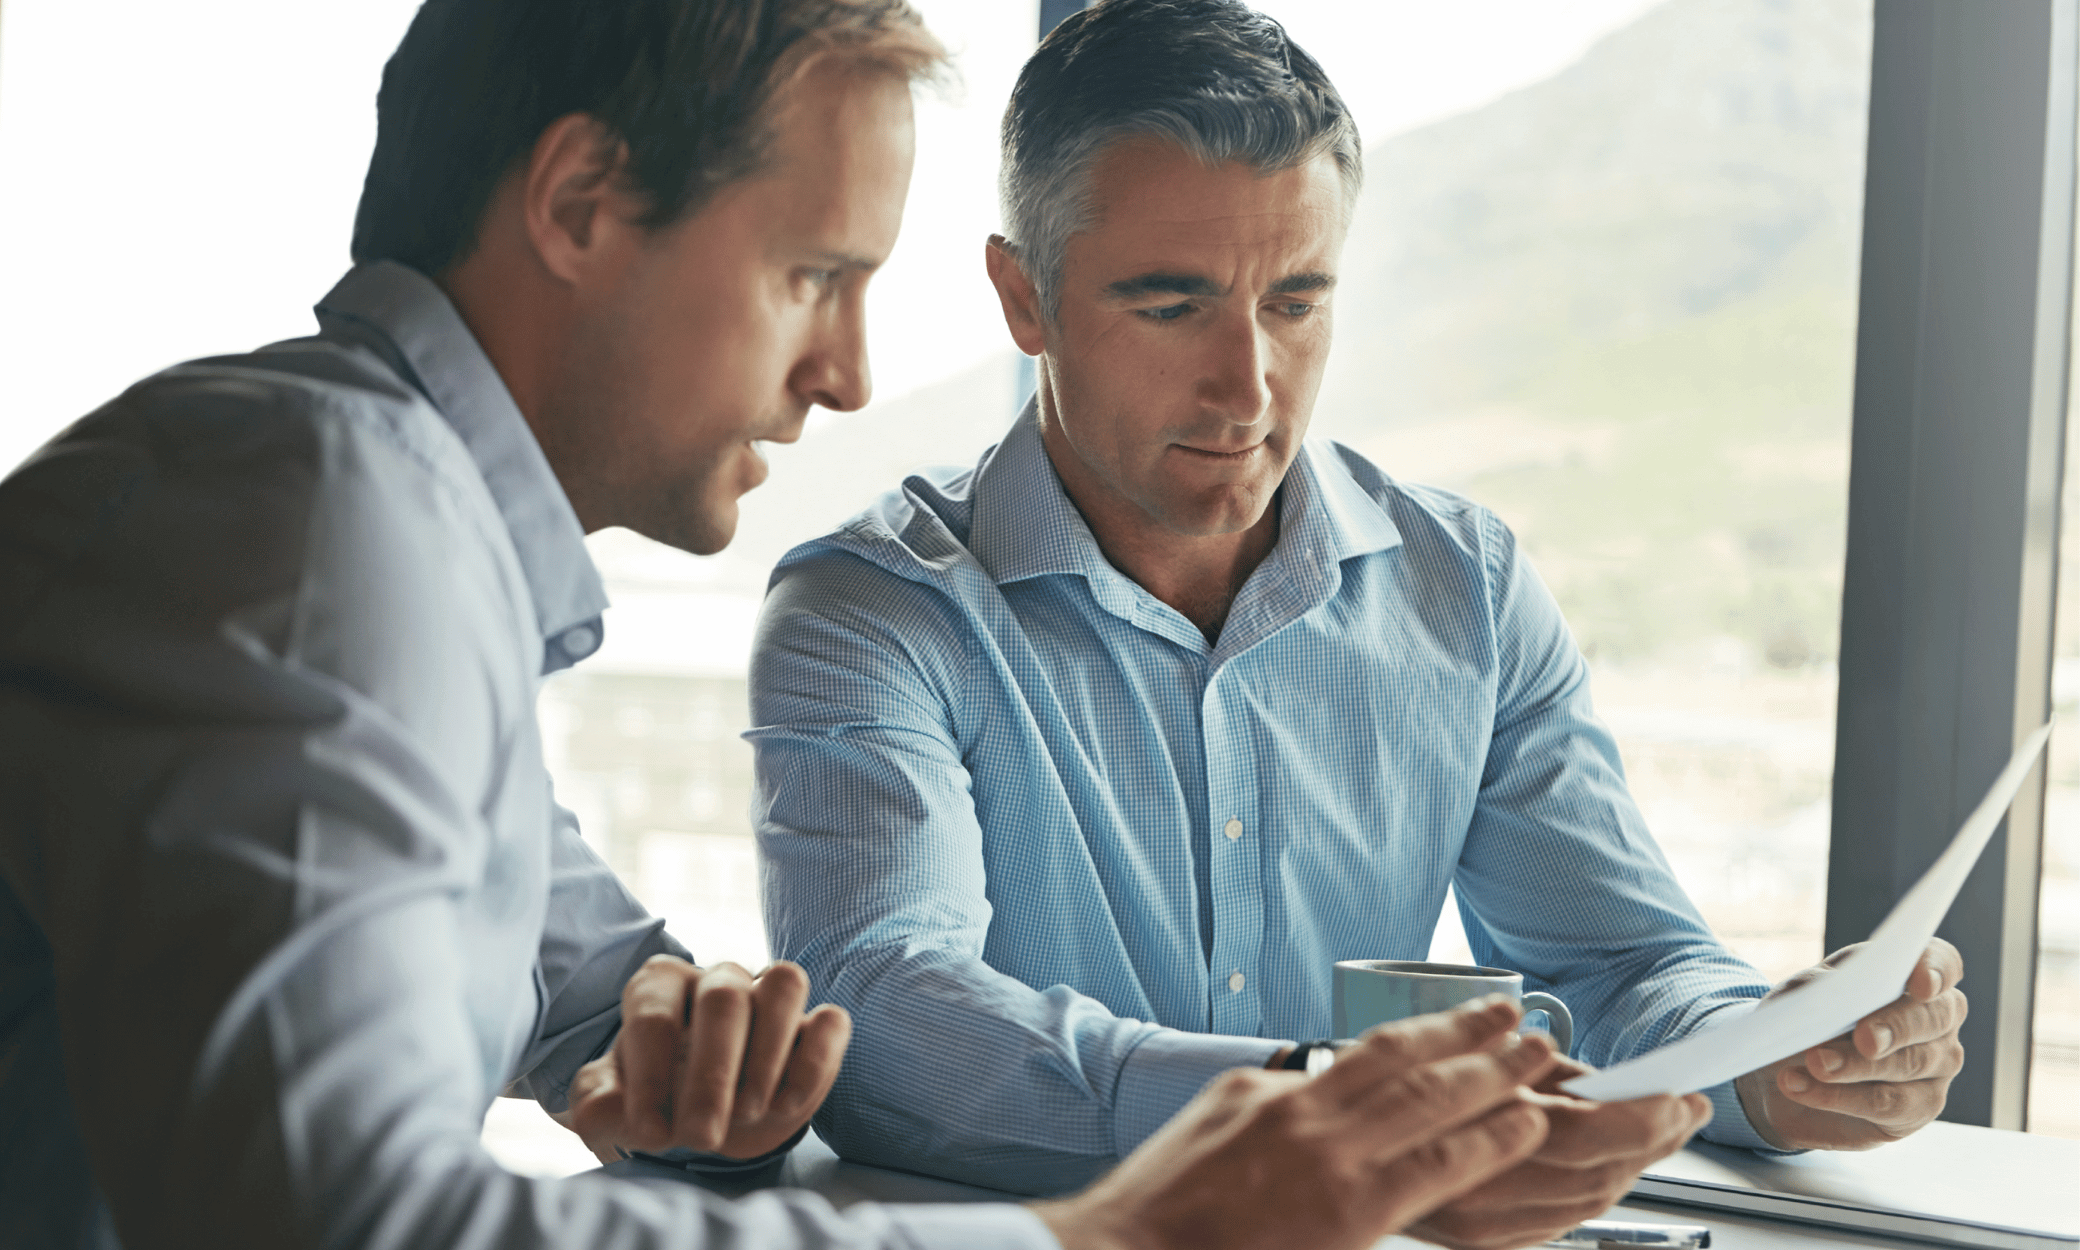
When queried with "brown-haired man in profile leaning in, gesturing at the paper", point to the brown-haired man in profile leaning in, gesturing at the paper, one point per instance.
{"points": [[284, 893]]}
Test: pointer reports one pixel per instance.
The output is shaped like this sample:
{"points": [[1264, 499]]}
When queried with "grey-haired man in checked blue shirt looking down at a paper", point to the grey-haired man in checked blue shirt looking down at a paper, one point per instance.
{"points": [[1078, 771]]}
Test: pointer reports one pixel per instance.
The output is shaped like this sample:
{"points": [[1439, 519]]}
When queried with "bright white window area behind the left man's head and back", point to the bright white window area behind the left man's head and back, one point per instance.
{"points": [[184, 184]]}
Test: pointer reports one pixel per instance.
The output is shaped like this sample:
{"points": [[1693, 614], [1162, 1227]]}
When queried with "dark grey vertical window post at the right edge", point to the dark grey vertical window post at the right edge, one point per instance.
{"points": [[1958, 436]]}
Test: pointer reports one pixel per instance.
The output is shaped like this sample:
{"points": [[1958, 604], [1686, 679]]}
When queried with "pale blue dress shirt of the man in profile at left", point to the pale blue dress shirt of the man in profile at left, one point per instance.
{"points": [[284, 893]]}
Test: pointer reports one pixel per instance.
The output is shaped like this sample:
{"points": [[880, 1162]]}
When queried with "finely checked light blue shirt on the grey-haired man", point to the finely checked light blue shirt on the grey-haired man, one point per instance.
{"points": [[1064, 860]]}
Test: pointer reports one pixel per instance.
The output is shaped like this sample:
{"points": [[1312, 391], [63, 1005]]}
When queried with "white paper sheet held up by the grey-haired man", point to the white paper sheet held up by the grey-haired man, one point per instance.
{"points": [[1831, 1004]]}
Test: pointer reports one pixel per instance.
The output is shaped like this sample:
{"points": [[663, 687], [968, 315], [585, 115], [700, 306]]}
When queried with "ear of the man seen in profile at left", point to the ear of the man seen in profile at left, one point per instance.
{"points": [[573, 197]]}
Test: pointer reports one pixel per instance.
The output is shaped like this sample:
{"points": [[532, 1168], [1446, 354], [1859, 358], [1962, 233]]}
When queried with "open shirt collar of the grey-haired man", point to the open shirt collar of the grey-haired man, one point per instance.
{"points": [[1026, 527]]}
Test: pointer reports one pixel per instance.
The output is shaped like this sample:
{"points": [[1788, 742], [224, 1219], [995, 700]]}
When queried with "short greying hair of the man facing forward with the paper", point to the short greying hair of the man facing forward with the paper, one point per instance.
{"points": [[1212, 76]]}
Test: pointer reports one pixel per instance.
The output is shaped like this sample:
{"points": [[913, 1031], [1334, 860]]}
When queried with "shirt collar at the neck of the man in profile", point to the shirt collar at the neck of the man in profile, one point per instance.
{"points": [[409, 321]]}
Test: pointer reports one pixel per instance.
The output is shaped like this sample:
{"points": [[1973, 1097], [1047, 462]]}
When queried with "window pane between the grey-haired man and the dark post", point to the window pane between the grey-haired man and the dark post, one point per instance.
{"points": [[1619, 309]]}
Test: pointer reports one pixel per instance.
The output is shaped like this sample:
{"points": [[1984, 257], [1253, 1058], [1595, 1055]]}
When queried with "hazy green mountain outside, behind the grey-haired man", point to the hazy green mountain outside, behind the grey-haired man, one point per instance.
{"points": [[1617, 307]]}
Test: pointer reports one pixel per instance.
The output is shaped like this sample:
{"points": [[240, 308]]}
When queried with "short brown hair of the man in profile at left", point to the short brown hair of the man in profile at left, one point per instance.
{"points": [[681, 84]]}
